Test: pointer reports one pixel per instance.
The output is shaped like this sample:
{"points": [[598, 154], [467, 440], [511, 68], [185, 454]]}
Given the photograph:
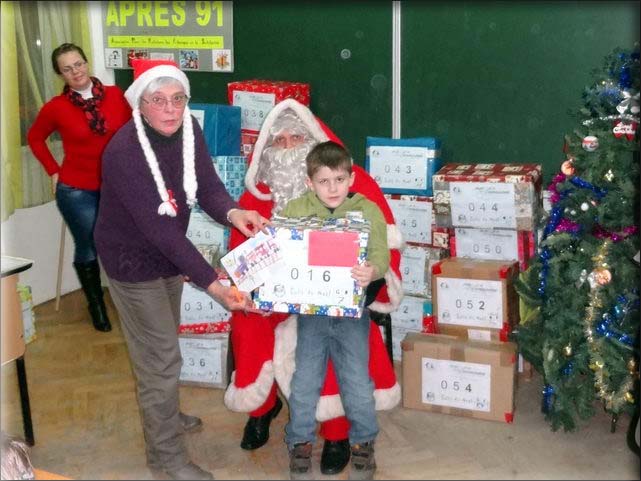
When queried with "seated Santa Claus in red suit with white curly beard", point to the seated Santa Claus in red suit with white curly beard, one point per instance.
{"points": [[264, 346]]}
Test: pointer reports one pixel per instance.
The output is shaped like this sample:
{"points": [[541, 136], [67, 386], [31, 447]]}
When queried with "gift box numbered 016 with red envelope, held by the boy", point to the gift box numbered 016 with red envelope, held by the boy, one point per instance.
{"points": [[315, 277]]}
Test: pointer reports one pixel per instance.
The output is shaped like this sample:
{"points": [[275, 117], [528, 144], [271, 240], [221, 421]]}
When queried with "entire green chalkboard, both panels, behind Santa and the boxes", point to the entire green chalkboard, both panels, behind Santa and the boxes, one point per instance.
{"points": [[495, 81]]}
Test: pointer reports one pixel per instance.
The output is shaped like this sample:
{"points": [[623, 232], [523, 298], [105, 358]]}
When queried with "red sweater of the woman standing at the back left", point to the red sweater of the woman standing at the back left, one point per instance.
{"points": [[82, 147]]}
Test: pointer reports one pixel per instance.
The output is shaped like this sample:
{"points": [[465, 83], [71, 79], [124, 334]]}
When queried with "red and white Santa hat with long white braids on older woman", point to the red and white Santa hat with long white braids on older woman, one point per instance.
{"points": [[145, 71]]}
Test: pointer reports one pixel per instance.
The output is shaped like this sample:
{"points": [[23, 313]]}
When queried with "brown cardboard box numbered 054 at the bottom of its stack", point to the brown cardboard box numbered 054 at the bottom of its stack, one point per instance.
{"points": [[448, 375]]}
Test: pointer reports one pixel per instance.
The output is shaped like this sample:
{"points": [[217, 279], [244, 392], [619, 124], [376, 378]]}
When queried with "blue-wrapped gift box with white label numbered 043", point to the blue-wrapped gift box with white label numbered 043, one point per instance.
{"points": [[403, 166]]}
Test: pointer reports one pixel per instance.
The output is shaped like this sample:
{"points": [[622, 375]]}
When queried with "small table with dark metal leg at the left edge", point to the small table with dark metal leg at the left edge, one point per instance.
{"points": [[13, 345]]}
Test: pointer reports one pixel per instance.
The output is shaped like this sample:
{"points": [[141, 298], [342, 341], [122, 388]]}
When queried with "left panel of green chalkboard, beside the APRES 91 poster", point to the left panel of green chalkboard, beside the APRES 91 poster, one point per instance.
{"points": [[303, 42]]}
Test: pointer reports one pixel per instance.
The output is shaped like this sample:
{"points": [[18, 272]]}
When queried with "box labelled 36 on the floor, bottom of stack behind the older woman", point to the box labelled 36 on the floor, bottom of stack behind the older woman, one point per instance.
{"points": [[204, 360]]}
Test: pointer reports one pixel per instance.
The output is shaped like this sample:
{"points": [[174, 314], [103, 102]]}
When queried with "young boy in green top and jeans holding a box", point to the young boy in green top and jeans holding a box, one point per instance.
{"points": [[344, 340]]}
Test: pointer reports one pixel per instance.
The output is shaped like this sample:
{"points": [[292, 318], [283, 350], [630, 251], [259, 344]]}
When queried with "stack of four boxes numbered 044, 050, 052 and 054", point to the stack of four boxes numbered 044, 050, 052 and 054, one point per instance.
{"points": [[469, 368]]}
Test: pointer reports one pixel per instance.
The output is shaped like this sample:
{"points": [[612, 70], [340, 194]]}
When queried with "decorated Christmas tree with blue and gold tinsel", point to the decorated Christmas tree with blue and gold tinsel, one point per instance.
{"points": [[579, 299]]}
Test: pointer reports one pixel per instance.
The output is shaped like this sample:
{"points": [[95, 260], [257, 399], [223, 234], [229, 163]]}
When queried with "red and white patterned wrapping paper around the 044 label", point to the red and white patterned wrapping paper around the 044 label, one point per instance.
{"points": [[526, 178]]}
